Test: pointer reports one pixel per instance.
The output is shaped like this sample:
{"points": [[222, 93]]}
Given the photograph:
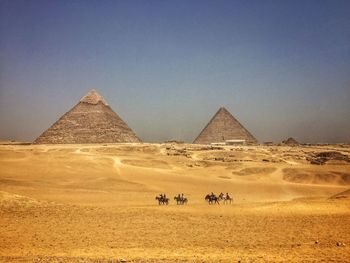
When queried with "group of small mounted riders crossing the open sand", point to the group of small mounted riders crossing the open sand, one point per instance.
{"points": [[181, 199]]}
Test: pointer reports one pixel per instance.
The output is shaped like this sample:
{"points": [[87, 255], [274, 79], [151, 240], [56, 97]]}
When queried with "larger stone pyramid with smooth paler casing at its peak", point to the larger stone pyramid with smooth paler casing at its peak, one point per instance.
{"points": [[90, 121]]}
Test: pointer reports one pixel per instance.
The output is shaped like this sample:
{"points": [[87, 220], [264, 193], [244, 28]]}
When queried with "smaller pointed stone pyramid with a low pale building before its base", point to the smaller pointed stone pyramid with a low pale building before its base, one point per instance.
{"points": [[223, 126]]}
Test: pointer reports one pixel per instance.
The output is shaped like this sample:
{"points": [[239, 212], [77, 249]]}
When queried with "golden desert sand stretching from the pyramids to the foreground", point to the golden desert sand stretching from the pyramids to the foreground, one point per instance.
{"points": [[96, 203]]}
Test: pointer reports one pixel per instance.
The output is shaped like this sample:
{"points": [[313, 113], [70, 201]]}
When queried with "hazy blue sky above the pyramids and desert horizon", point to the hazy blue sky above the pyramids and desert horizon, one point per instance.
{"points": [[281, 67]]}
